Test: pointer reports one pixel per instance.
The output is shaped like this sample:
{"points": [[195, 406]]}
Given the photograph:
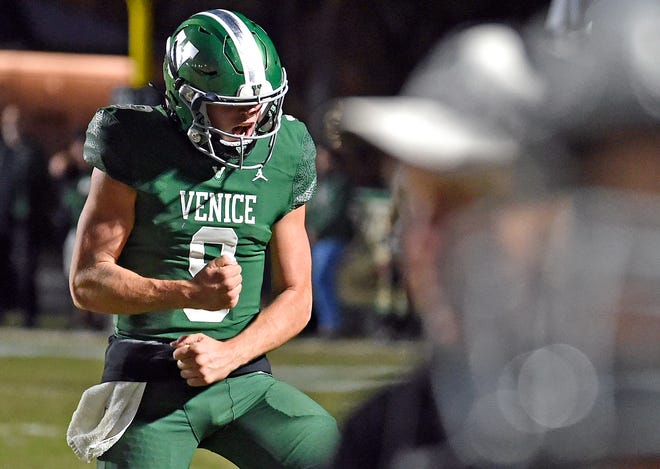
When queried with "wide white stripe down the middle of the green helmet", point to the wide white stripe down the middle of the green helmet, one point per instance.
{"points": [[247, 47]]}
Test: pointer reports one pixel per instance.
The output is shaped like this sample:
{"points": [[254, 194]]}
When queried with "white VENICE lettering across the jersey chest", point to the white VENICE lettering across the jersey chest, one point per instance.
{"points": [[218, 207]]}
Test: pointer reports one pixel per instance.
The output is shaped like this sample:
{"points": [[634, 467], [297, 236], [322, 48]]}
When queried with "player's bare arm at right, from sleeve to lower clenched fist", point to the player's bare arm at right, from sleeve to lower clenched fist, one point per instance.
{"points": [[203, 360]]}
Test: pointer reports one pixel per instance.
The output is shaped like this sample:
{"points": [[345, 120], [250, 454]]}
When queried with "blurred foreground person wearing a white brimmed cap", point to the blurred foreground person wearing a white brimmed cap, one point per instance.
{"points": [[450, 161]]}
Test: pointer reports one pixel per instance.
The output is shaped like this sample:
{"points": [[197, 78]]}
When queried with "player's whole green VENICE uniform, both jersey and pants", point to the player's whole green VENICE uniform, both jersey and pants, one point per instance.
{"points": [[189, 210]]}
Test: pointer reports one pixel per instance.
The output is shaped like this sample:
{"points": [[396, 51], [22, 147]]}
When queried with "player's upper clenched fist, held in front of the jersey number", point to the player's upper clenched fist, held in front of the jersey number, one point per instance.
{"points": [[218, 285]]}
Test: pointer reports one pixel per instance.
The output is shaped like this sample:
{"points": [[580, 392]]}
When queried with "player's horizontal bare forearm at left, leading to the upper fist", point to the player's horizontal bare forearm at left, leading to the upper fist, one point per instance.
{"points": [[109, 288]]}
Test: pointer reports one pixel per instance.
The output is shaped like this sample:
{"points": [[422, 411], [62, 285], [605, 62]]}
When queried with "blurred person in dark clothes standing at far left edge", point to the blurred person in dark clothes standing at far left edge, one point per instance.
{"points": [[25, 202]]}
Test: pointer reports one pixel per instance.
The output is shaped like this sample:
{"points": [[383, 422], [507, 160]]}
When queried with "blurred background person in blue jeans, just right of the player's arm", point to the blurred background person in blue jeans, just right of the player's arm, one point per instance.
{"points": [[330, 229]]}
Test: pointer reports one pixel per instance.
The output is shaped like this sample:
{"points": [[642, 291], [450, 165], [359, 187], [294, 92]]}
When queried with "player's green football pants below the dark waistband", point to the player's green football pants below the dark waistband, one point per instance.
{"points": [[253, 420]]}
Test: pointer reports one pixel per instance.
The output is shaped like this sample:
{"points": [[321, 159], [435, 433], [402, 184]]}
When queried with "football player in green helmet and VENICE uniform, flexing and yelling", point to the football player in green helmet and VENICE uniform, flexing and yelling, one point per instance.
{"points": [[185, 198]]}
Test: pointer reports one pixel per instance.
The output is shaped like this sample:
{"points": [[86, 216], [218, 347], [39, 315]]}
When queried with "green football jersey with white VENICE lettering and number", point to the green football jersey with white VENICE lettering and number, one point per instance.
{"points": [[190, 209]]}
